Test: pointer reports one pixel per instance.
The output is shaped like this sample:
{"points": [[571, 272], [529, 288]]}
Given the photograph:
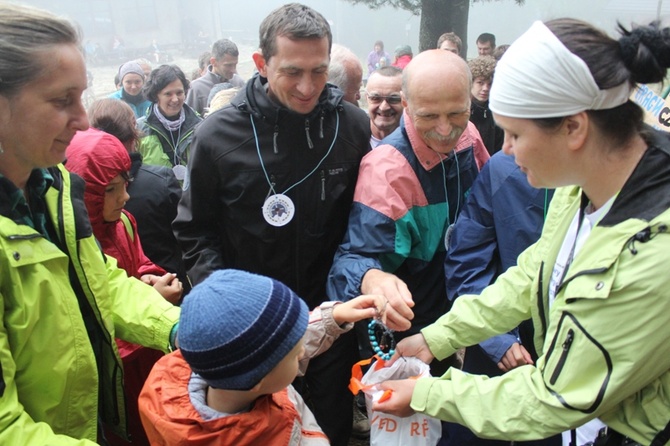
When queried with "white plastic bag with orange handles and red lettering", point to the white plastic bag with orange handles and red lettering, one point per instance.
{"points": [[389, 430]]}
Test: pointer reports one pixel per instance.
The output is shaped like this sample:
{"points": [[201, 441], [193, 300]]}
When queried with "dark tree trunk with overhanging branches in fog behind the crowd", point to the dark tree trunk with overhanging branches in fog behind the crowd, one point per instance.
{"points": [[437, 17]]}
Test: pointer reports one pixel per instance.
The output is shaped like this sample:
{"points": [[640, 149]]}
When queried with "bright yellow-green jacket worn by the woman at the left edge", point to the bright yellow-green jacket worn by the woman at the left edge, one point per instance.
{"points": [[62, 305]]}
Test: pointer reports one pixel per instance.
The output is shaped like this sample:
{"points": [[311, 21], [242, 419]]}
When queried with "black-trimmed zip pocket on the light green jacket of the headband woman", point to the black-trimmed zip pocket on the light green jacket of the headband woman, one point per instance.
{"points": [[577, 368]]}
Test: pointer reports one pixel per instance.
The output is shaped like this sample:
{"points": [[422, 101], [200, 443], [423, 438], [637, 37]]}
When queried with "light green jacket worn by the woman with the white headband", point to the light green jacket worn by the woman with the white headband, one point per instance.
{"points": [[604, 343]]}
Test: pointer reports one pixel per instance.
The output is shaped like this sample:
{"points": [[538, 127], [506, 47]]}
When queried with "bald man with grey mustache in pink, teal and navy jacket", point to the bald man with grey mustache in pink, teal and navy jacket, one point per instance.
{"points": [[410, 190]]}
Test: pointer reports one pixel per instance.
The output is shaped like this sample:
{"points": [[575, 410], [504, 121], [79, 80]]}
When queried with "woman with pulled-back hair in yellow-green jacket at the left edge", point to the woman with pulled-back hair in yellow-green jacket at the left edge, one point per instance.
{"points": [[62, 301]]}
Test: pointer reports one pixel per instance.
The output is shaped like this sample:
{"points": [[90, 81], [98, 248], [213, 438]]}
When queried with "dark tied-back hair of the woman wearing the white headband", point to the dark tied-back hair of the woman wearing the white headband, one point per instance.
{"points": [[640, 55]]}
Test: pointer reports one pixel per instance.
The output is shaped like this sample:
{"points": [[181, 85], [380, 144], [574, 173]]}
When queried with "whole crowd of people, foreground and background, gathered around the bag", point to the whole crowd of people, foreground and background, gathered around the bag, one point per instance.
{"points": [[195, 259]]}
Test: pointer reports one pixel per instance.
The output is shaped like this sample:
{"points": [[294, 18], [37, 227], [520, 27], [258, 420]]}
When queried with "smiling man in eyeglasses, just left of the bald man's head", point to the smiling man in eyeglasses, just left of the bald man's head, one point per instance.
{"points": [[384, 102]]}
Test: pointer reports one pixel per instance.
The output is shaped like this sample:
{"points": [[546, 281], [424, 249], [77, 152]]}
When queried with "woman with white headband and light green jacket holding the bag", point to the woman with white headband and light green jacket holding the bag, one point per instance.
{"points": [[596, 284]]}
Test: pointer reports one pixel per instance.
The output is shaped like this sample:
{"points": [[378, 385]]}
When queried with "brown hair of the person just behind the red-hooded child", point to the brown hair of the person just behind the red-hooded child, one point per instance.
{"points": [[116, 118]]}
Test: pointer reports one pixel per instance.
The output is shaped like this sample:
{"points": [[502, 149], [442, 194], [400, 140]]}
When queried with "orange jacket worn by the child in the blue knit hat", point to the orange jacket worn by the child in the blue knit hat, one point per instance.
{"points": [[169, 417]]}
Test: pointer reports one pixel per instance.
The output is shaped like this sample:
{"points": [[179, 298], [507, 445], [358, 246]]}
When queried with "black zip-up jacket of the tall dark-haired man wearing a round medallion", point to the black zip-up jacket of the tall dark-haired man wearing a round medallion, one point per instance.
{"points": [[220, 223]]}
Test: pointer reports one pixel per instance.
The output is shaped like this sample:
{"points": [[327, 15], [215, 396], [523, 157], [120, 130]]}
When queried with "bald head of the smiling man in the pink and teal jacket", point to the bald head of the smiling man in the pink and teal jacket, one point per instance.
{"points": [[436, 97]]}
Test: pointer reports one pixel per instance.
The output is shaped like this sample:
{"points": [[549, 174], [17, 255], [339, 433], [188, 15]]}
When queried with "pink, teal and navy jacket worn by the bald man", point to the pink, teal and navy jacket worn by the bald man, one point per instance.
{"points": [[400, 216]]}
